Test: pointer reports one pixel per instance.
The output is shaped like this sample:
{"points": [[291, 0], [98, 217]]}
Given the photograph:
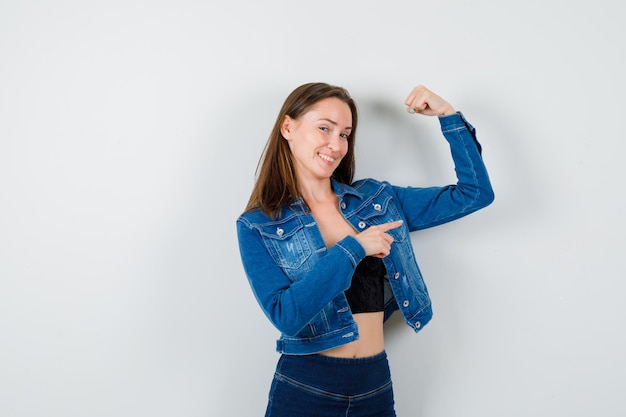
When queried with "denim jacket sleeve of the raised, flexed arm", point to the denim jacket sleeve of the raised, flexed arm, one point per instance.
{"points": [[432, 206]]}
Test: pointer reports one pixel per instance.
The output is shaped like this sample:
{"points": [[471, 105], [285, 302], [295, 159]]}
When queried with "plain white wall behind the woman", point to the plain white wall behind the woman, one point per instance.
{"points": [[129, 136]]}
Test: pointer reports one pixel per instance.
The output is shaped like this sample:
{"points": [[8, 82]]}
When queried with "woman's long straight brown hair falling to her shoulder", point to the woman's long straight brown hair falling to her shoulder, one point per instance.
{"points": [[276, 182]]}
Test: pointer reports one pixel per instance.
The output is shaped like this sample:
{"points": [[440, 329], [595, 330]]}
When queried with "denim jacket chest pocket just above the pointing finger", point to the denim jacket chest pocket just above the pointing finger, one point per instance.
{"points": [[382, 209]]}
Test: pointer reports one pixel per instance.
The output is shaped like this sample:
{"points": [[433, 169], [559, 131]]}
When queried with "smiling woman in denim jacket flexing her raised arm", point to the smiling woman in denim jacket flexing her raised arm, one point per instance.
{"points": [[329, 259]]}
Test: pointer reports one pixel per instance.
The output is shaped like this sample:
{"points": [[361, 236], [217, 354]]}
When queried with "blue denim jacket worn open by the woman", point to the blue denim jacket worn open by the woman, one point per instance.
{"points": [[299, 282]]}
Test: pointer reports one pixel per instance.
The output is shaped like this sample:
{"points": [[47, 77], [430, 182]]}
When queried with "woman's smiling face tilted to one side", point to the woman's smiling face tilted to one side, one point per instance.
{"points": [[318, 139]]}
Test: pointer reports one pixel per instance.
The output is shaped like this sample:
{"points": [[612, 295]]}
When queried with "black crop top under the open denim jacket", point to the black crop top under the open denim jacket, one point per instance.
{"points": [[366, 292]]}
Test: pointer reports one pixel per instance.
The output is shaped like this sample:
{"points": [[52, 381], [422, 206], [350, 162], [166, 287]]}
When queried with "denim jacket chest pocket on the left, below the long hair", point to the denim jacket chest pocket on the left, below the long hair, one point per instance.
{"points": [[287, 243]]}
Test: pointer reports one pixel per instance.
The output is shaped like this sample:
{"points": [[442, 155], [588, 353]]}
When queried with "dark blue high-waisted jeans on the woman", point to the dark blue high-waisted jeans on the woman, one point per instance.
{"points": [[322, 386]]}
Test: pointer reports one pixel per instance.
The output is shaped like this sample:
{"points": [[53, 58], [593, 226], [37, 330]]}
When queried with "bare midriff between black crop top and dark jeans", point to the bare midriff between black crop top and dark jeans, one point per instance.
{"points": [[371, 339]]}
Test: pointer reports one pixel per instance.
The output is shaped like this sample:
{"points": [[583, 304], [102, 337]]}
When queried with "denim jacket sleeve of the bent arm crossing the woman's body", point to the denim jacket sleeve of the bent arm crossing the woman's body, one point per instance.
{"points": [[291, 305]]}
